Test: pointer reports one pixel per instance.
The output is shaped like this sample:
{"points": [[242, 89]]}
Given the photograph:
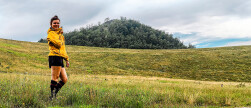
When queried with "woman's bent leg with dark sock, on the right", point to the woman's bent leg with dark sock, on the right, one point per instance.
{"points": [[63, 77]]}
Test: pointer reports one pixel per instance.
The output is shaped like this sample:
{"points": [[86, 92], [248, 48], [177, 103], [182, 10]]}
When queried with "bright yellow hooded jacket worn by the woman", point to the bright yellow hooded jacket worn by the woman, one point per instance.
{"points": [[56, 43]]}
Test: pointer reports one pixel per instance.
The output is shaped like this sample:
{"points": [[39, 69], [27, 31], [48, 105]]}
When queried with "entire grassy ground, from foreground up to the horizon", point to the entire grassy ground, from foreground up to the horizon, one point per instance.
{"points": [[109, 77]]}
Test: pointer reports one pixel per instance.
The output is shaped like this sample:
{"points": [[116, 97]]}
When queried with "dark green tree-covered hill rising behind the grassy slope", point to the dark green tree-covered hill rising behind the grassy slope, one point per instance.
{"points": [[123, 33]]}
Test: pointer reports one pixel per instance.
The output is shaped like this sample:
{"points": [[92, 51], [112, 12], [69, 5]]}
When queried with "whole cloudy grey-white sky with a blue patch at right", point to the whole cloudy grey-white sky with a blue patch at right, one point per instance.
{"points": [[203, 23]]}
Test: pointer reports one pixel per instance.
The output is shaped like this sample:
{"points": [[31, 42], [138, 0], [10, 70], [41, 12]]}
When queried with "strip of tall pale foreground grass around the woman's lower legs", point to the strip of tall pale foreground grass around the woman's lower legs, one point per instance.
{"points": [[23, 90]]}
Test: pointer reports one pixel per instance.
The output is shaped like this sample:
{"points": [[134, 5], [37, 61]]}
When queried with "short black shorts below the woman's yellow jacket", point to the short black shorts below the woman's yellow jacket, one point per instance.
{"points": [[56, 61]]}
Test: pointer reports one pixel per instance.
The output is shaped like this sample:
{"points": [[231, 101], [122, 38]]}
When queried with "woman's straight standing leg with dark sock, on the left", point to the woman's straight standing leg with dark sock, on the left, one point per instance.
{"points": [[55, 72]]}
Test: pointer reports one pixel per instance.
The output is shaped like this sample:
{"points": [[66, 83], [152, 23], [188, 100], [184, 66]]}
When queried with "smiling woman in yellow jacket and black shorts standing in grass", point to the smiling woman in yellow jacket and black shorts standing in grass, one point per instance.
{"points": [[57, 54]]}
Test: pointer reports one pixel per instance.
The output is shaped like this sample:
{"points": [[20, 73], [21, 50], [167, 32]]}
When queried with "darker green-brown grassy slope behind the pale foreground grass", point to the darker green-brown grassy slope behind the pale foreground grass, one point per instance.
{"points": [[218, 64]]}
